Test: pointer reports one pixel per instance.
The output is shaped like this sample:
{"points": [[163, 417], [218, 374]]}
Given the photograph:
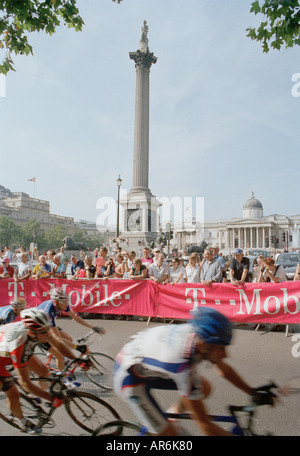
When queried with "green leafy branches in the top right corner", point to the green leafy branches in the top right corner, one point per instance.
{"points": [[281, 26]]}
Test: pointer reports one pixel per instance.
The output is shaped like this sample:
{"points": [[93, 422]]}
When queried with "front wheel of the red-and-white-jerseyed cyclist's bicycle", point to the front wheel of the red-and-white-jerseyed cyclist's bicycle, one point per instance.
{"points": [[89, 411]]}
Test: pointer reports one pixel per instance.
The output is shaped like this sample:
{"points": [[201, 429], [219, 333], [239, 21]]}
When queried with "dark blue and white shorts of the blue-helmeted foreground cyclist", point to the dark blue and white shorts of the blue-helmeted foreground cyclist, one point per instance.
{"points": [[134, 388]]}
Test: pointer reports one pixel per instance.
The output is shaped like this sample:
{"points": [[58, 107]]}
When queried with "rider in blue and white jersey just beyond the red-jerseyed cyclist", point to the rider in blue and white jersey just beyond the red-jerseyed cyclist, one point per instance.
{"points": [[58, 303]]}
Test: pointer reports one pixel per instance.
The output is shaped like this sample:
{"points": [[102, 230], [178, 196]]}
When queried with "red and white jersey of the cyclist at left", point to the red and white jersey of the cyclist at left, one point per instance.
{"points": [[16, 347]]}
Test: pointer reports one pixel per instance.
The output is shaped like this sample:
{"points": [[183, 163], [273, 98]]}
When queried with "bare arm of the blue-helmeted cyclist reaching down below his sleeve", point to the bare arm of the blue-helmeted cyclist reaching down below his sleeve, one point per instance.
{"points": [[197, 410]]}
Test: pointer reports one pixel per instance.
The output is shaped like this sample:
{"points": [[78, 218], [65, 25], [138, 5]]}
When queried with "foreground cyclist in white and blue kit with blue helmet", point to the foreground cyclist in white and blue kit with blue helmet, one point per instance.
{"points": [[165, 358]]}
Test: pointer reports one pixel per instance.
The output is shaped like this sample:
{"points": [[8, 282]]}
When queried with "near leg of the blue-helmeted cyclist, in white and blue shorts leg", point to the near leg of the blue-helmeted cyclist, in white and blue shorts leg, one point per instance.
{"points": [[135, 391]]}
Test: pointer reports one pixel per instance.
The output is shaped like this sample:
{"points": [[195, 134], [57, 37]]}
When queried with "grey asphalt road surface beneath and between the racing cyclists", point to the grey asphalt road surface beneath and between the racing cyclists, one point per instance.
{"points": [[259, 357]]}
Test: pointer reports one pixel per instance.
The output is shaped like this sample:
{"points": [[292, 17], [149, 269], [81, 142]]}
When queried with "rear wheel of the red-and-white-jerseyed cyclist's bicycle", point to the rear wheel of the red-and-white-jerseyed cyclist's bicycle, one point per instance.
{"points": [[29, 408]]}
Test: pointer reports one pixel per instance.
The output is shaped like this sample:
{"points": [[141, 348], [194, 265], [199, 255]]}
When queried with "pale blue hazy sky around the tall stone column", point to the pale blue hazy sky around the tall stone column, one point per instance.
{"points": [[224, 116]]}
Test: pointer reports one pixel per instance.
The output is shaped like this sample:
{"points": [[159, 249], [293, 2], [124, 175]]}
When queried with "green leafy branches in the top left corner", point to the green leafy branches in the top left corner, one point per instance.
{"points": [[18, 18]]}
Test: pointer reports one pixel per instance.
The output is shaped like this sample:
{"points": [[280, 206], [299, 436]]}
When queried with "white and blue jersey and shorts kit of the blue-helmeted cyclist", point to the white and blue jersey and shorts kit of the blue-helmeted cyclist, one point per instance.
{"points": [[161, 358]]}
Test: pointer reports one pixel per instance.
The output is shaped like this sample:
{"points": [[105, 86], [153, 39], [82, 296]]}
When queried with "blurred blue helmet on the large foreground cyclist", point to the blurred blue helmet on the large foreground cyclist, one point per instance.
{"points": [[211, 326]]}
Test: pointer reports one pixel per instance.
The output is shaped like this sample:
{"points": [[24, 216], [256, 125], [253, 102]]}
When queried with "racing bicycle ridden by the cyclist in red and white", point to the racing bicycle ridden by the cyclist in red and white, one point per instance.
{"points": [[86, 410]]}
